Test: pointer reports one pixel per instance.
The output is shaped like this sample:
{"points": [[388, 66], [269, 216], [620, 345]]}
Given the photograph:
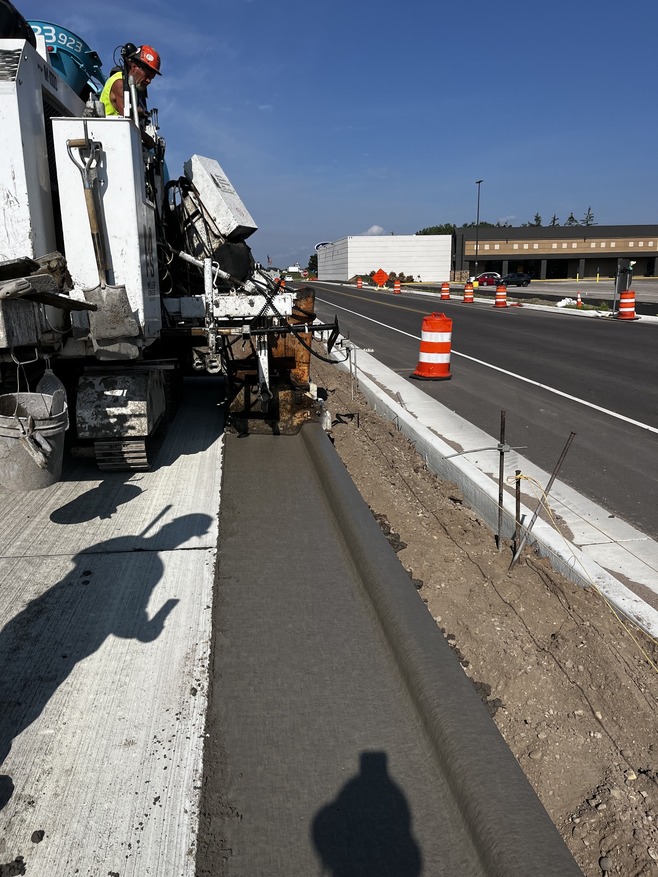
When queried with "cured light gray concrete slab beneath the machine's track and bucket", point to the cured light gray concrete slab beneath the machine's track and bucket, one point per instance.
{"points": [[105, 615]]}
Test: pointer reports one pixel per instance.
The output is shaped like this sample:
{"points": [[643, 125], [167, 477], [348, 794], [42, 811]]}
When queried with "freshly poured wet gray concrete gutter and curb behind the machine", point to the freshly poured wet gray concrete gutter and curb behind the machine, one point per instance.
{"points": [[343, 737]]}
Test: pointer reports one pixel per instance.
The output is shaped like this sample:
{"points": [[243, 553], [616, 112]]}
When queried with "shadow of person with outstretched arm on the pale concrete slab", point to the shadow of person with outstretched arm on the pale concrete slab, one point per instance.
{"points": [[105, 594]]}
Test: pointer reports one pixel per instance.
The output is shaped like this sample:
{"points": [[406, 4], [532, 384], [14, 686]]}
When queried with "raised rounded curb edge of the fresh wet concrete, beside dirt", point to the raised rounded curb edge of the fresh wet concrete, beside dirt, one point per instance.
{"points": [[510, 828]]}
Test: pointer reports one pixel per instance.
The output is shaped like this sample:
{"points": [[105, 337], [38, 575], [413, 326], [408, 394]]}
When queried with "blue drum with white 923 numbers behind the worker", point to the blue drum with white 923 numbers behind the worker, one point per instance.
{"points": [[78, 65]]}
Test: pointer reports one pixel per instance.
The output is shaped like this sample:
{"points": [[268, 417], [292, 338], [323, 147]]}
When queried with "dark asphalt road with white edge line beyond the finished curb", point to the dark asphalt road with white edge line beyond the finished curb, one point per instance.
{"points": [[552, 374]]}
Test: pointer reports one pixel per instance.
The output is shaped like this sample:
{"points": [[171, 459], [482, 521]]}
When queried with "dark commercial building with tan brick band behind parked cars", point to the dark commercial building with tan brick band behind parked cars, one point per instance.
{"points": [[558, 252]]}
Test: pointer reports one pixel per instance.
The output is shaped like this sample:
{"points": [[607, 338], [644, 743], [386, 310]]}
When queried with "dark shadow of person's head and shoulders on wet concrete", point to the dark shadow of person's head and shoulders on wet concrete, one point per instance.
{"points": [[366, 830]]}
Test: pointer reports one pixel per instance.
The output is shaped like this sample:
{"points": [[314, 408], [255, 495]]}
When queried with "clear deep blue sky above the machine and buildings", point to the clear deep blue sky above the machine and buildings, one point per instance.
{"points": [[373, 117]]}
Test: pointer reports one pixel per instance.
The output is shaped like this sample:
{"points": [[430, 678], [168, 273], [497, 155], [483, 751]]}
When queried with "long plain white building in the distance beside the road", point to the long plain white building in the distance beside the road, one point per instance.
{"points": [[424, 256]]}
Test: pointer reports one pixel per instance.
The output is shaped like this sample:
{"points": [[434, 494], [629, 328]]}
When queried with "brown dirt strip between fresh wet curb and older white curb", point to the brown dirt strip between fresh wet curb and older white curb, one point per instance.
{"points": [[573, 690]]}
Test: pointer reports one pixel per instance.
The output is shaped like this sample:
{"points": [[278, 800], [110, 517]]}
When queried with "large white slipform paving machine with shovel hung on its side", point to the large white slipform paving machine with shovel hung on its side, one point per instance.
{"points": [[117, 281]]}
